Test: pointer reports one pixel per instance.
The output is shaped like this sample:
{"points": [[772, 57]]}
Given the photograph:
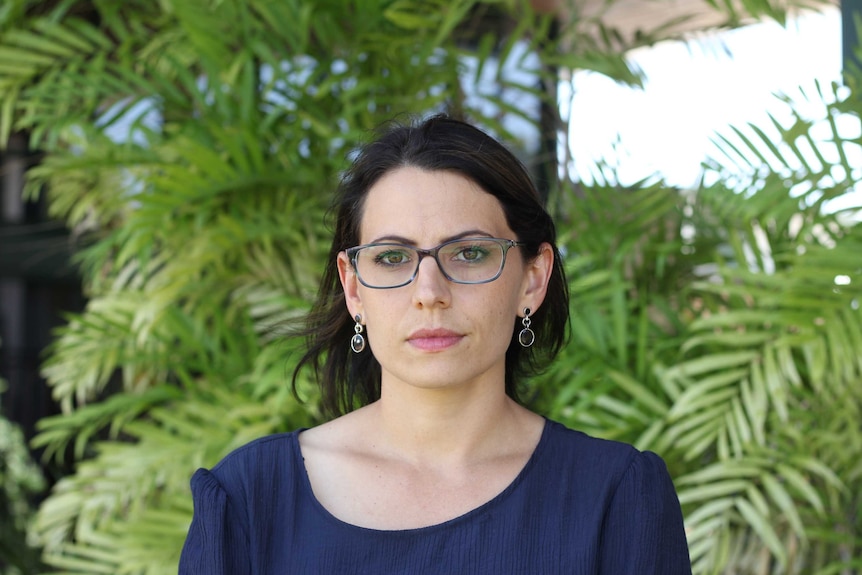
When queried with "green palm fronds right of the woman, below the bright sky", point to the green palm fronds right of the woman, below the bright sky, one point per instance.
{"points": [[721, 328]]}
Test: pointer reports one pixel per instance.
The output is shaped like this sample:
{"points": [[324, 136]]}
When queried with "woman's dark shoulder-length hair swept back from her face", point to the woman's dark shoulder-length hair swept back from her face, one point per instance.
{"points": [[348, 380]]}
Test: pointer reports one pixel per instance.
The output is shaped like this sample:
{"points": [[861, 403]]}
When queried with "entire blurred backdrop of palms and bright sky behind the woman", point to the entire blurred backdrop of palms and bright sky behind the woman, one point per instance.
{"points": [[166, 170]]}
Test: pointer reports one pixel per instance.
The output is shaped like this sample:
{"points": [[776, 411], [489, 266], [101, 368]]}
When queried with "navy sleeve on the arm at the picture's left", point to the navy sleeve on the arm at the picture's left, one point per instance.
{"points": [[216, 543]]}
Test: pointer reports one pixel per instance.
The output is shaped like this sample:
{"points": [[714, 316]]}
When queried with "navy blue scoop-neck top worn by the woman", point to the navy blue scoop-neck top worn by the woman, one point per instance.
{"points": [[580, 506]]}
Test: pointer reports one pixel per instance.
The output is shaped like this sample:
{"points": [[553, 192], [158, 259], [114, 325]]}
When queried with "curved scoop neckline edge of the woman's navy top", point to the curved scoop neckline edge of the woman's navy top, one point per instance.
{"points": [[305, 484]]}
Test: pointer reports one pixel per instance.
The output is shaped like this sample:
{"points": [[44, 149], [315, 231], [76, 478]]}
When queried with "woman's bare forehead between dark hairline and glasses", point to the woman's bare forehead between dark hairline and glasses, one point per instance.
{"points": [[428, 207]]}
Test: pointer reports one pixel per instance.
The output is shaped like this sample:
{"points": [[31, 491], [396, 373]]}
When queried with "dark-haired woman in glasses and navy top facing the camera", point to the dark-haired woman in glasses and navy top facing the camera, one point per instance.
{"points": [[445, 289]]}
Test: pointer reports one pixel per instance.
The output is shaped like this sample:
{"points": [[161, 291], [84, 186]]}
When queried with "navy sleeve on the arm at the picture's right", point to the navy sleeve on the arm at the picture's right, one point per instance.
{"points": [[643, 531]]}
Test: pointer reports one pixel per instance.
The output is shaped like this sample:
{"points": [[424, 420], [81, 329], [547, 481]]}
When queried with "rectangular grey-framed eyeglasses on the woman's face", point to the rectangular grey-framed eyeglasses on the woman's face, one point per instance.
{"points": [[463, 261]]}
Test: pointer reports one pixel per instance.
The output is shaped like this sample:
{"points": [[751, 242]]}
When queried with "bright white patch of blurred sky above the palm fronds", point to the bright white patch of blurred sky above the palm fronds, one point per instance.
{"points": [[695, 90]]}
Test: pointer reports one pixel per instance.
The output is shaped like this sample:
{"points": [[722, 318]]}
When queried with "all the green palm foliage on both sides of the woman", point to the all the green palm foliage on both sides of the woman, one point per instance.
{"points": [[191, 146]]}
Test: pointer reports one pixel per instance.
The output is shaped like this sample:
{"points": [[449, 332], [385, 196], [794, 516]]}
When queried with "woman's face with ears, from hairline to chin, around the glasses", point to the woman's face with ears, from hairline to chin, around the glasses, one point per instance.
{"points": [[432, 332]]}
